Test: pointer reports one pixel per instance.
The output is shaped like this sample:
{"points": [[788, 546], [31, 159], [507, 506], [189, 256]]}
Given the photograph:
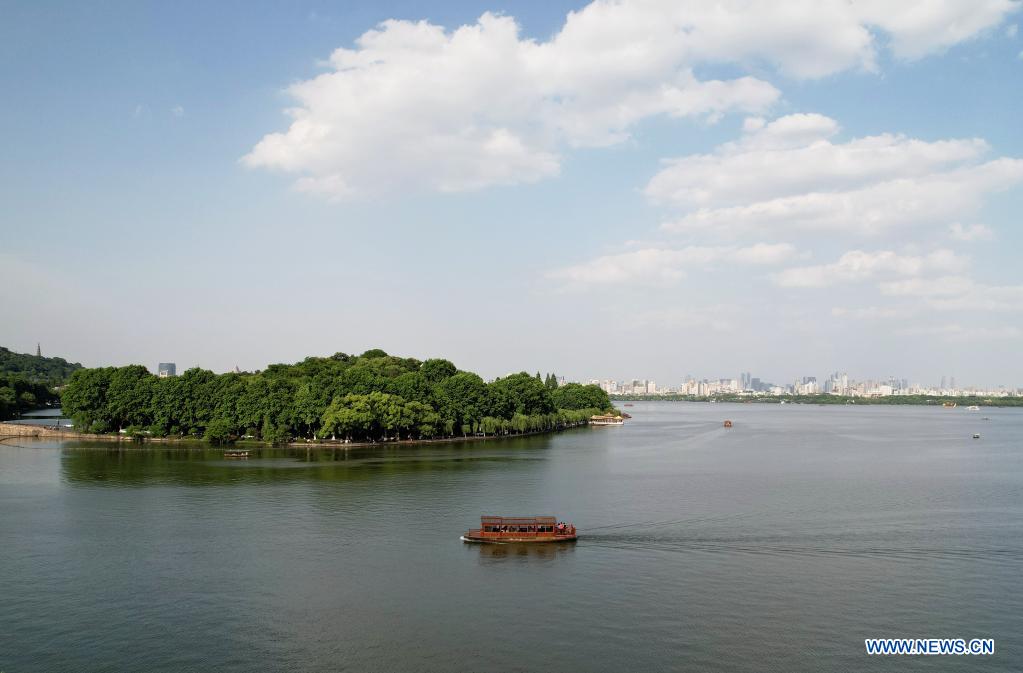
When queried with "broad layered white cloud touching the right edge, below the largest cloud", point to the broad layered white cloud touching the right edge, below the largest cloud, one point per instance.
{"points": [[789, 174]]}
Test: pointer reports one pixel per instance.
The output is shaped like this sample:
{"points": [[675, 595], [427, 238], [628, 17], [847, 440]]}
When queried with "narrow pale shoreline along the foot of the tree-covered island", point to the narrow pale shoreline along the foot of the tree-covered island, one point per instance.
{"points": [[26, 431]]}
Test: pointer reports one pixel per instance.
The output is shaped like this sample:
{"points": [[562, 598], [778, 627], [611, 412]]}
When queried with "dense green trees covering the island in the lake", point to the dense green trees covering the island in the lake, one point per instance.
{"points": [[374, 396]]}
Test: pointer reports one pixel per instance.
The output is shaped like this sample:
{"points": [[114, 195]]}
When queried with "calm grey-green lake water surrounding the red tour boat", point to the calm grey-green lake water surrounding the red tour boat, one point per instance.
{"points": [[779, 545]]}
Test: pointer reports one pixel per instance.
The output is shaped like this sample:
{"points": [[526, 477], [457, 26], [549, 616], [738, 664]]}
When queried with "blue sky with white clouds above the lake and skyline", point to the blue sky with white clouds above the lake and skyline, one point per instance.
{"points": [[649, 190]]}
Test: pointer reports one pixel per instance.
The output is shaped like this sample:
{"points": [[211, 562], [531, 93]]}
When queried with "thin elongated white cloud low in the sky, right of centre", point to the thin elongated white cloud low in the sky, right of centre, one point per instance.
{"points": [[661, 266]]}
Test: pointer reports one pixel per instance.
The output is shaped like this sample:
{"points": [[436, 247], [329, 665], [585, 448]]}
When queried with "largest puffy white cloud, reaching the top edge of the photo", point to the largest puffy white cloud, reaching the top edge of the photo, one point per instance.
{"points": [[414, 106]]}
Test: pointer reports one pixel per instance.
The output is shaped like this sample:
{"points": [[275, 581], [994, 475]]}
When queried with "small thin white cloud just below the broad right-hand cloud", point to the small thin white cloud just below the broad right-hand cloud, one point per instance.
{"points": [[859, 266]]}
